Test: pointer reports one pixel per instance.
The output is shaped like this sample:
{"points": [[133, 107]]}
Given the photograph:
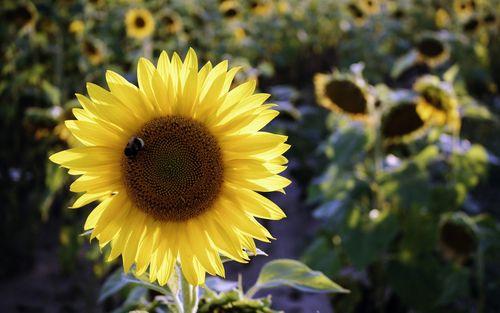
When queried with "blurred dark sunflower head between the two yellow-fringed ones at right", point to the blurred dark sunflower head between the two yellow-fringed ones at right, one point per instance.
{"points": [[401, 122]]}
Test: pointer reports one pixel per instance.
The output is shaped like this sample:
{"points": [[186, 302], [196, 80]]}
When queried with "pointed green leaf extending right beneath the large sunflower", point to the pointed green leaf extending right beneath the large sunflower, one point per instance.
{"points": [[291, 273]]}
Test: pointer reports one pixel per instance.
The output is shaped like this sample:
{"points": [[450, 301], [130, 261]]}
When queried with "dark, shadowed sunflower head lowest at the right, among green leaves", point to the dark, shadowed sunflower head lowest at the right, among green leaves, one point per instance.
{"points": [[457, 237]]}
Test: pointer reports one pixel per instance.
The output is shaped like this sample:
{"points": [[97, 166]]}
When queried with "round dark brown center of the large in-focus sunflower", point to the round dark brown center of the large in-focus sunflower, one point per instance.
{"points": [[172, 168]]}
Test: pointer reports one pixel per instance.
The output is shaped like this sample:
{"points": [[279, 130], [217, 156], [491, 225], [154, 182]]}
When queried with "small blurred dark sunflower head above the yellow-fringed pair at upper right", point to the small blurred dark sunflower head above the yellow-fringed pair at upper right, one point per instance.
{"points": [[432, 50]]}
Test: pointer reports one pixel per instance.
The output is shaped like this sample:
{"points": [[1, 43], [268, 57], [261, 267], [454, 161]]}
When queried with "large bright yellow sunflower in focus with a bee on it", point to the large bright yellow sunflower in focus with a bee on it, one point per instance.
{"points": [[179, 161]]}
